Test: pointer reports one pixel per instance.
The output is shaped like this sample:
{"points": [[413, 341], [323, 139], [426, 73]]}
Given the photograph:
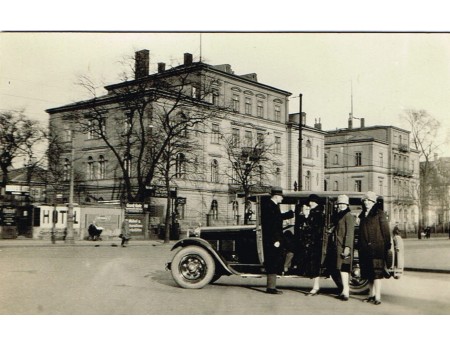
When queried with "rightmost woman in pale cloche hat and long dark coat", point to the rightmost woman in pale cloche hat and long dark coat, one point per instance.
{"points": [[374, 243]]}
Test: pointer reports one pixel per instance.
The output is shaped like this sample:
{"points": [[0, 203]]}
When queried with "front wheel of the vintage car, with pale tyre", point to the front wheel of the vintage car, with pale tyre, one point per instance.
{"points": [[193, 267]]}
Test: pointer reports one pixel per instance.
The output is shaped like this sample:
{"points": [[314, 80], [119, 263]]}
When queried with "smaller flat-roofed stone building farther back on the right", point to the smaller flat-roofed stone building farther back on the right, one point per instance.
{"points": [[379, 159]]}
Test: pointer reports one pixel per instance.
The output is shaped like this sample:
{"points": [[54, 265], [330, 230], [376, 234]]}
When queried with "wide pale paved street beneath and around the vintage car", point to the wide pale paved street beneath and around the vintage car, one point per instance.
{"points": [[109, 280]]}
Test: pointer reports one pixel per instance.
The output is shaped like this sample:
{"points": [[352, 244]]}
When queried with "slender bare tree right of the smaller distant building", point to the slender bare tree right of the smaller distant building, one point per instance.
{"points": [[424, 128]]}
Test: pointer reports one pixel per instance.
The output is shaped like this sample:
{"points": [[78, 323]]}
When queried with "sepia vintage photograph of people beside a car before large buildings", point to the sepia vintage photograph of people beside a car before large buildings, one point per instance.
{"points": [[224, 173]]}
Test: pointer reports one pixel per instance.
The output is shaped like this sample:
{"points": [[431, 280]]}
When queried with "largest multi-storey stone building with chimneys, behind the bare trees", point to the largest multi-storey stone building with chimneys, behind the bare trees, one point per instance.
{"points": [[248, 118]]}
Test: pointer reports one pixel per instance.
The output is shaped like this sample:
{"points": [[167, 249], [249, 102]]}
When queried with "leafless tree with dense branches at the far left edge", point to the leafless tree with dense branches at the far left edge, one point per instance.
{"points": [[19, 136]]}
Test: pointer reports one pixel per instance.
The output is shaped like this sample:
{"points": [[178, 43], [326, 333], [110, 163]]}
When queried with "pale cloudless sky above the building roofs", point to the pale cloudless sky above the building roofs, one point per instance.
{"points": [[380, 75]]}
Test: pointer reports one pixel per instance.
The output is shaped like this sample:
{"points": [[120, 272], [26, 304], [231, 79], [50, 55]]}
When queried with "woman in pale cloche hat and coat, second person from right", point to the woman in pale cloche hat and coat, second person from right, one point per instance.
{"points": [[341, 249]]}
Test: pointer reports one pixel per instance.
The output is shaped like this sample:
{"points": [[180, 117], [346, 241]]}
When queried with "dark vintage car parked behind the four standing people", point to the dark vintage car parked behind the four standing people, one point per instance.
{"points": [[207, 253]]}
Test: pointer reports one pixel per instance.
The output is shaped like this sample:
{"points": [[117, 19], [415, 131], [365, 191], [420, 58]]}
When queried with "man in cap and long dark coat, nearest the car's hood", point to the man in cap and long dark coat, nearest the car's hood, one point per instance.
{"points": [[272, 231]]}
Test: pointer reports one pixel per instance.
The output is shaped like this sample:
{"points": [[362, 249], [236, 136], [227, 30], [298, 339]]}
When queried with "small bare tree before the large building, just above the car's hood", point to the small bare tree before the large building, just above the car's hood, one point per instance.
{"points": [[252, 166]]}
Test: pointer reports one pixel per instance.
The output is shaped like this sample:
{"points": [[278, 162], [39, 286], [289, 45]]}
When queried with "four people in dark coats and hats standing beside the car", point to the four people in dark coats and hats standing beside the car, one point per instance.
{"points": [[309, 250]]}
